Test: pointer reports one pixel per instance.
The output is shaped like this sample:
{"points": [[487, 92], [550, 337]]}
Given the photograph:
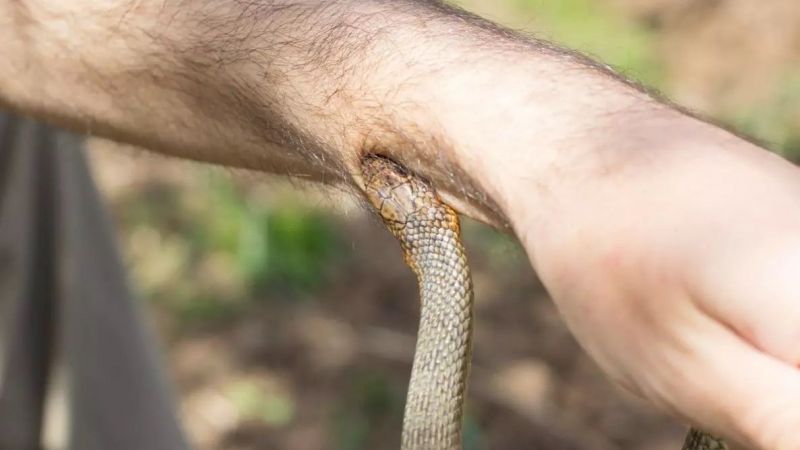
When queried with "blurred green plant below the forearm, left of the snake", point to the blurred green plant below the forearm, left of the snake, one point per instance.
{"points": [[208, 254]]}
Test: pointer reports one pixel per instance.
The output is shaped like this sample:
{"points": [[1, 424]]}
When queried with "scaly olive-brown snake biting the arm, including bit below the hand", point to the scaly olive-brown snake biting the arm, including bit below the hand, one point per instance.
{"points": [[429, 234]]}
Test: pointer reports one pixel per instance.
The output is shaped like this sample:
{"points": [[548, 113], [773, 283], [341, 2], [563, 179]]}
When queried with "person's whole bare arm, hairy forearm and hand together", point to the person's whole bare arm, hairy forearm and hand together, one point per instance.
{"points": [[671, 247]]}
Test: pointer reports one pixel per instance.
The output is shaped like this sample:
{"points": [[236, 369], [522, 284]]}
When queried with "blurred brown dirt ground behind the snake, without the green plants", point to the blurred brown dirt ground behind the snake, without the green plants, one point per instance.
{"points": [[329, 371]]}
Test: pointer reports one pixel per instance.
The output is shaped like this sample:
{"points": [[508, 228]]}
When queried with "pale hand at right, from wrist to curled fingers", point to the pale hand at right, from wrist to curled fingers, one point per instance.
{"points": [[680, 274]]}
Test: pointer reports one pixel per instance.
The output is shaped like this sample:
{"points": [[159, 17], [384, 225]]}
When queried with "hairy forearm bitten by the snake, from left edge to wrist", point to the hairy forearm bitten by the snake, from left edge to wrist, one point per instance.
{"points": [[307, 87]]}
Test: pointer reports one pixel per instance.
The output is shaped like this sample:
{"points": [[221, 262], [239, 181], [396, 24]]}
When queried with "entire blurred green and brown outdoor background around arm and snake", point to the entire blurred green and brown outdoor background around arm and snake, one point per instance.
{"points": [[286, 314]]}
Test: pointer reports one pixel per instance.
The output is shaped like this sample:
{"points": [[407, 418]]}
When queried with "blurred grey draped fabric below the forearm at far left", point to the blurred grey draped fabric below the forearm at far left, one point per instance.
{"points": [[65, 306]]}
